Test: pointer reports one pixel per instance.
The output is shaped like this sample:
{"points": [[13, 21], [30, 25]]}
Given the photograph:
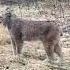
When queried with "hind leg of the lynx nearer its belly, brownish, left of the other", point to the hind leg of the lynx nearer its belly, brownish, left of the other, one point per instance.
{"points": [[49, 48]]}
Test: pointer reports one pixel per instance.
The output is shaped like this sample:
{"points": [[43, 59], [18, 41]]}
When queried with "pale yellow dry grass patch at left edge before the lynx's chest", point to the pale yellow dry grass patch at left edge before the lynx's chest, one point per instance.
{"points": [[4, 35]]}
